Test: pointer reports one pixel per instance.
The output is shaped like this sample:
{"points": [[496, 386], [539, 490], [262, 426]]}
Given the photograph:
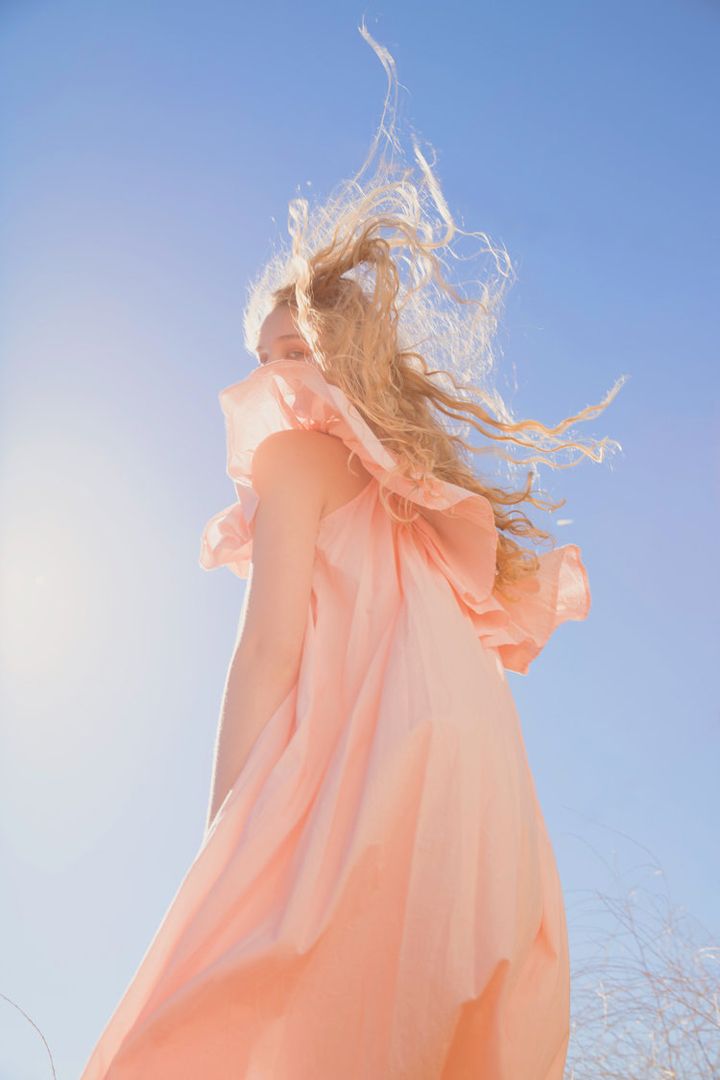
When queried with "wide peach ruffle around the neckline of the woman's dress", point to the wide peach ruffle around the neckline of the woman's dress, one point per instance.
{"points": [[289, 395]]}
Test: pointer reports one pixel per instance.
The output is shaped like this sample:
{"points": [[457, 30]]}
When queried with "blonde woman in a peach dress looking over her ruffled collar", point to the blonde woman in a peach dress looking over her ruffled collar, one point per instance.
{"points": [[376, 896]]}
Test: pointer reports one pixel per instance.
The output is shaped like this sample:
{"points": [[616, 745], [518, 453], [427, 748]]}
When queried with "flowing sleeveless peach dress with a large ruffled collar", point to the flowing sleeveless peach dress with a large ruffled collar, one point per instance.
{"points": [[377, 898]]}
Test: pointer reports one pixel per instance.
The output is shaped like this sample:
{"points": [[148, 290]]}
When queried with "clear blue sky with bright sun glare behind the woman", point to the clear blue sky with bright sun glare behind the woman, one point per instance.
{"points": [[150, 152]]}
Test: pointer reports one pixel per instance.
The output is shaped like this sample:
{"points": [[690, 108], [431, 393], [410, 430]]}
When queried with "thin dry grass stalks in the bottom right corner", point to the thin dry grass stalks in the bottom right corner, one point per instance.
{"points": [[646, 989]]}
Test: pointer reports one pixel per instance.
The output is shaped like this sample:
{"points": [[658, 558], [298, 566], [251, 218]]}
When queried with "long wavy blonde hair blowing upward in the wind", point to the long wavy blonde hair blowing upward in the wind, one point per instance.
{"points": [[368, 281]]}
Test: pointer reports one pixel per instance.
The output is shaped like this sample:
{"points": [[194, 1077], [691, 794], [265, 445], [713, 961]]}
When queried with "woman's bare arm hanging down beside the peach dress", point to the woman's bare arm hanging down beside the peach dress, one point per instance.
{"points": [[290, 474]]}
